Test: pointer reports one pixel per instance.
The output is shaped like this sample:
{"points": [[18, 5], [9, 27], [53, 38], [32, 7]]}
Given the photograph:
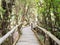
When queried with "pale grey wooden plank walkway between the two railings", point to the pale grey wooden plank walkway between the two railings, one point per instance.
{"points": [[28, 37]]}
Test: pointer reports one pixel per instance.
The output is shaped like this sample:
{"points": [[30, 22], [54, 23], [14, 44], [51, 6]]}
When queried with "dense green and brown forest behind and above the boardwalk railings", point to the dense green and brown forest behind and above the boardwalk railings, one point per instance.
{"points": [[46, 13]]}
